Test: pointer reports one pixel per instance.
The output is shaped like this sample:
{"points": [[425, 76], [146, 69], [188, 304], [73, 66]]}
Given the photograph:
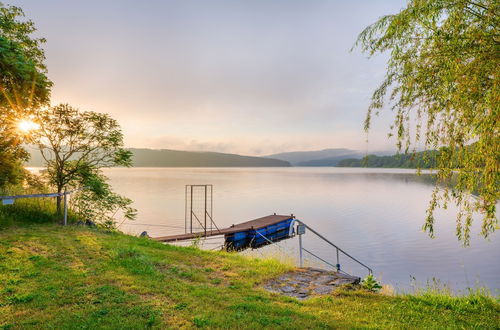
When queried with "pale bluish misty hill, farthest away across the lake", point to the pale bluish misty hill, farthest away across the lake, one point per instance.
{"points": [[326, 157]]}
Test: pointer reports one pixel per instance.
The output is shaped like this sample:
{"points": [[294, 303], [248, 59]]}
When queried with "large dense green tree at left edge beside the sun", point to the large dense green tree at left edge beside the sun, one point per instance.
{"points": [[24, 86]]}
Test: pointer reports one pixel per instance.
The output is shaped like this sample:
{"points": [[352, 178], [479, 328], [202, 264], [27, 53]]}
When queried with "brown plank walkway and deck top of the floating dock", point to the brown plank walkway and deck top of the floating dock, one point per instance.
{"points": [[241, 227]]}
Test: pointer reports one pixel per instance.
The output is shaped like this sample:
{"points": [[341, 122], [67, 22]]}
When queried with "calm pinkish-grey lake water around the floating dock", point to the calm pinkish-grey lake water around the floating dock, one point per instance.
{"points": [[374, 214]]}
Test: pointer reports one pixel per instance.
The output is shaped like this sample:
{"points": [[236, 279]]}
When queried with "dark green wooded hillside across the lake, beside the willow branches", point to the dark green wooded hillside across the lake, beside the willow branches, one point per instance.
{"points": [[417, 160]]}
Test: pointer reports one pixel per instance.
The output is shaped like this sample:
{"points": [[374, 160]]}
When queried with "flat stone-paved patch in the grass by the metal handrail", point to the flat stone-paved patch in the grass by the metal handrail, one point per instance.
{"points": [[305, 282]]}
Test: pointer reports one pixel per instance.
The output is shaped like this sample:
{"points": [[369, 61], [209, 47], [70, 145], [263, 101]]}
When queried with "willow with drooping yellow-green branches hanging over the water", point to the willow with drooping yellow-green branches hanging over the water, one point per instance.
{"points": [[443, 87]]}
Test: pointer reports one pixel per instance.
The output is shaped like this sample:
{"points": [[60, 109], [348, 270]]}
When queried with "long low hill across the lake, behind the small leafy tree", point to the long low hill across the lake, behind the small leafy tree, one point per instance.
{"points": [[175, 158]]}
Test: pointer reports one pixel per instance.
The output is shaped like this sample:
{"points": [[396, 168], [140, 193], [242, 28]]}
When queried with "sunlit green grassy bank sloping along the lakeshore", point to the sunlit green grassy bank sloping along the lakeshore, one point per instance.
{"points": [[73, 277]]}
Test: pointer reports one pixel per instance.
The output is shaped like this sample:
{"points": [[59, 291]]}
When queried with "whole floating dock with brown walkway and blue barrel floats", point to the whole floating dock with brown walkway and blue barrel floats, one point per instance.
{"points": [[254, 233]]}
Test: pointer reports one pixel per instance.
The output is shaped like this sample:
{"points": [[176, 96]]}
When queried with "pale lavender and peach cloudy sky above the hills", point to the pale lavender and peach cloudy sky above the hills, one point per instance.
{"points": [[253, 77]]}
